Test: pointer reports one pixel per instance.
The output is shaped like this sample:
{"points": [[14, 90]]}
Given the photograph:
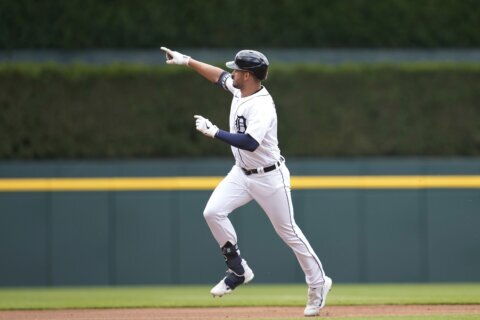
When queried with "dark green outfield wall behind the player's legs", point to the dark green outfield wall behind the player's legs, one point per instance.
{"points": [[420, 233]]}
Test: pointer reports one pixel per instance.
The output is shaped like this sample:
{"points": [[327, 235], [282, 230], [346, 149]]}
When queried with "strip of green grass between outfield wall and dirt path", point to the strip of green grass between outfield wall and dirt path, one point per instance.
{"points": [[251, 295]]}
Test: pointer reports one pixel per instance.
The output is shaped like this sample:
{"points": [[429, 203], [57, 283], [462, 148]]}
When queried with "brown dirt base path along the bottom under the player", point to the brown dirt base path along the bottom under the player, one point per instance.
{"points": [[235, 312]]}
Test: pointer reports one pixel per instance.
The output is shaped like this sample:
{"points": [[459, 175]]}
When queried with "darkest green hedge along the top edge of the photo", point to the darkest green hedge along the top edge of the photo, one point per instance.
{"points": [[76, 24]]}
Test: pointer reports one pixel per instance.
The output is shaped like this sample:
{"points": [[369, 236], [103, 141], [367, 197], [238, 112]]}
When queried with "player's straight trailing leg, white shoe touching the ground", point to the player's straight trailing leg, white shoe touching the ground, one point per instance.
{"points": [[272, 192]]}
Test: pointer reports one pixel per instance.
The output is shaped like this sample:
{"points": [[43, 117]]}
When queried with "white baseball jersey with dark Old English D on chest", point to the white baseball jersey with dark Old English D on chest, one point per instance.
{"points": [[254, 115]]}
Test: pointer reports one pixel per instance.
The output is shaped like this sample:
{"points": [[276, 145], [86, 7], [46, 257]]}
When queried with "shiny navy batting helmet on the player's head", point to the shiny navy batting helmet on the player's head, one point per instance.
{"points": [[252, 61]]}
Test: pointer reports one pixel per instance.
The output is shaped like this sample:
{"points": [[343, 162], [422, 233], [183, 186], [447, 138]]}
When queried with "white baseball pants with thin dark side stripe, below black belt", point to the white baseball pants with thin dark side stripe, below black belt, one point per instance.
{"points": [[271, 191]]}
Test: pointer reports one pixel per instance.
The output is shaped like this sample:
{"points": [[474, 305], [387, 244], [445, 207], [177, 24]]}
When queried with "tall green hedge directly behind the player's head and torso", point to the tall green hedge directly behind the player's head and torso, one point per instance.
{"points": [[124, 111]]}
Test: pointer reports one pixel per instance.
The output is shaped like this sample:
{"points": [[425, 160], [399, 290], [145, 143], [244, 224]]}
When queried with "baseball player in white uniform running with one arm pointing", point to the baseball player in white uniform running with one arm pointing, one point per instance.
{"points": [[259, 173]]}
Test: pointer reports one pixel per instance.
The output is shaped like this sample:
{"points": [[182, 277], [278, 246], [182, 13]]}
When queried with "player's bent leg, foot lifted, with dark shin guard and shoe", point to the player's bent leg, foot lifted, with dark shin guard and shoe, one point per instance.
{"points": [[230, 194]]}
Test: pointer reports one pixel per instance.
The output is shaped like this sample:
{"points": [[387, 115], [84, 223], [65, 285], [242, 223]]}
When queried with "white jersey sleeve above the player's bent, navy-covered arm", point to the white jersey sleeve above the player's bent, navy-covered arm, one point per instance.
{"points": [[260, 119]]}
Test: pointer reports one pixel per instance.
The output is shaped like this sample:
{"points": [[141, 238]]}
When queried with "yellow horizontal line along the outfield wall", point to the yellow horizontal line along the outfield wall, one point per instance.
{"points": [[209, 183]]}
